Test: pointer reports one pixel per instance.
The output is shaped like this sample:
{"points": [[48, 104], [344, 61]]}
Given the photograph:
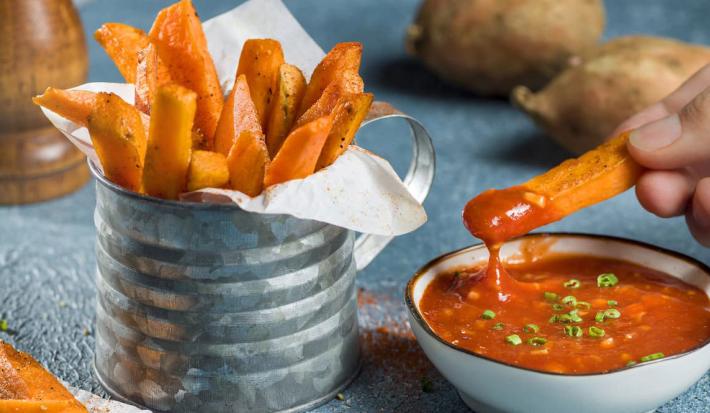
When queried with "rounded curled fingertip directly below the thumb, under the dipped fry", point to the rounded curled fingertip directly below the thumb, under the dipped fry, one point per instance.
{"points": [[664, 193]]}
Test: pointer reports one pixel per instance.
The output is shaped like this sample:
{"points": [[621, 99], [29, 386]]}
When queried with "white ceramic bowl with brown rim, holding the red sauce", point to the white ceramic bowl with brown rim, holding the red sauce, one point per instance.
{"points": [[488, 386]]}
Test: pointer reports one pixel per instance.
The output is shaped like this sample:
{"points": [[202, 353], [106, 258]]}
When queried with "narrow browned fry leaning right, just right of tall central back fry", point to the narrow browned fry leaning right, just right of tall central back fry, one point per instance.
{"points": [[290, 87]]}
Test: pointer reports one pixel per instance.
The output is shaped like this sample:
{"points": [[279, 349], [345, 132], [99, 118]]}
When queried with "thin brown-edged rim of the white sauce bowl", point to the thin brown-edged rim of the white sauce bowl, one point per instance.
{"points": [[419, 319]]}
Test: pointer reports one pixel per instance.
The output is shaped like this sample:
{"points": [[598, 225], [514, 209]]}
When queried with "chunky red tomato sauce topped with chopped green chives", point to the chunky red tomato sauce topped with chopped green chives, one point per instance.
{"points": [[649, 314]]}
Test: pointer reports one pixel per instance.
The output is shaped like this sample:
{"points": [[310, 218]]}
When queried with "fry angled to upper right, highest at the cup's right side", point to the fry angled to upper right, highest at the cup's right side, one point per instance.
{"points": [[342, 57]]}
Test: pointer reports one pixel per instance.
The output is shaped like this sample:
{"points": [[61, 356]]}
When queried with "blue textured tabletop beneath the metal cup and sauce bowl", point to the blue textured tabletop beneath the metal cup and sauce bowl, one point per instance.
{"points": [[47, 250]]}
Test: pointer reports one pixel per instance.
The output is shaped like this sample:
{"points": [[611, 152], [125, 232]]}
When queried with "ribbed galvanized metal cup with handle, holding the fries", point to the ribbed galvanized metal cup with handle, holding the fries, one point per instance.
{"points": [[209, 308]]}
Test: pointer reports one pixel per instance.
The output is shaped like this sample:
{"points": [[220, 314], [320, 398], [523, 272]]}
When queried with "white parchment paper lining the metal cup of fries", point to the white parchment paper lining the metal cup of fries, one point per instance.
{"points": [[360, 191]]}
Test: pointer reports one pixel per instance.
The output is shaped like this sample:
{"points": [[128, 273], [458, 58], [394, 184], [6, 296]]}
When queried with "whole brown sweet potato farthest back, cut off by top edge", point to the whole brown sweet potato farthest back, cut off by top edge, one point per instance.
{"points": [[491, 46]]}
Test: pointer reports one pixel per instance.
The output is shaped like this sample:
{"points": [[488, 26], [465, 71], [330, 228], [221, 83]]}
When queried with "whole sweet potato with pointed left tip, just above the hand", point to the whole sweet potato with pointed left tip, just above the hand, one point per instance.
{"points": [[585, 103]]}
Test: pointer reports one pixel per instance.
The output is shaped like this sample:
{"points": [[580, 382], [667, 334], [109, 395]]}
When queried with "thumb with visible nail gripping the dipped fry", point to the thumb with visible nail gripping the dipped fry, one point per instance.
{"points": [[675, 141]]}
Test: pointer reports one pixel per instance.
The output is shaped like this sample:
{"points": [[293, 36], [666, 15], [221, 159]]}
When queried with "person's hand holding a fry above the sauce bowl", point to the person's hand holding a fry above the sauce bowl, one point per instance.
{"points": [[672, 139]]}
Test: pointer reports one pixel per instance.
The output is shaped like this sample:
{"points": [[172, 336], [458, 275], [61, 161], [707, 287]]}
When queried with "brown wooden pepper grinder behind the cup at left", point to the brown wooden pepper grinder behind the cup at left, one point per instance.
{"points": [[41, 44]]}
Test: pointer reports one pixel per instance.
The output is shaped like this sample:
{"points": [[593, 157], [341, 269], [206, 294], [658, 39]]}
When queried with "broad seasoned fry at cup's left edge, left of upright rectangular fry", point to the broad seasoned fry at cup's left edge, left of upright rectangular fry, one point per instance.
{"points": [[118, 136]]}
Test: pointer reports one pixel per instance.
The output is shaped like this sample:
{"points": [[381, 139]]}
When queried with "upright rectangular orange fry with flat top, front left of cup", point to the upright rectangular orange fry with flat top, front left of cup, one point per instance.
{"points": [[169, 142]]}
